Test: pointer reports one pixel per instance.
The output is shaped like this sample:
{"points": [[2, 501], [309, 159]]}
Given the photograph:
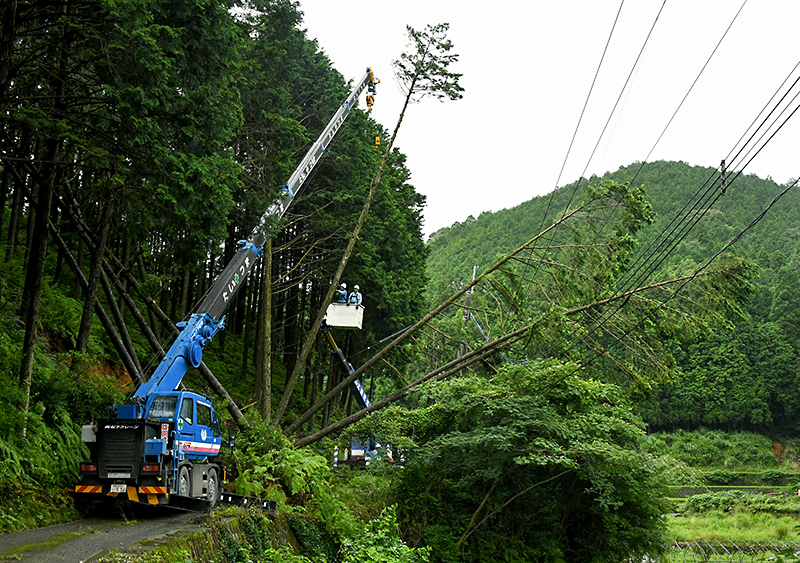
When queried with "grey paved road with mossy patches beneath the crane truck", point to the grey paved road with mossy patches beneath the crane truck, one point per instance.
{"points": [[89, 539]]}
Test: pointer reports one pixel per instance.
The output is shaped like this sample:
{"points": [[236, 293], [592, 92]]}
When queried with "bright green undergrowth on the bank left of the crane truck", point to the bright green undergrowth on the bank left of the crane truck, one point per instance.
{"points": [[67, 390]]}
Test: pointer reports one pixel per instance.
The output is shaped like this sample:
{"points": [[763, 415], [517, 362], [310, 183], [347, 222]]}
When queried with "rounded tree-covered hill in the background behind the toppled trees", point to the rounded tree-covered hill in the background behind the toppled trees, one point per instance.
{"points": [[737, 375]]}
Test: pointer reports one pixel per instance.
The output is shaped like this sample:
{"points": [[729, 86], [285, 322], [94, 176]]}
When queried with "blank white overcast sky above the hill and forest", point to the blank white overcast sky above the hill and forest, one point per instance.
{"points": [[527, 68]]}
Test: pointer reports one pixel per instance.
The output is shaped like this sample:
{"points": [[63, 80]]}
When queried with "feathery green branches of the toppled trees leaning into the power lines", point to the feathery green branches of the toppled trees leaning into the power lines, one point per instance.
{"points": [[562, 284]]}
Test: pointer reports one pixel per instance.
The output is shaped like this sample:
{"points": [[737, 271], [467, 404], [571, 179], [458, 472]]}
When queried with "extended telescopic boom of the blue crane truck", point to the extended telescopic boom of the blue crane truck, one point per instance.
{"points": [[202, 326]]}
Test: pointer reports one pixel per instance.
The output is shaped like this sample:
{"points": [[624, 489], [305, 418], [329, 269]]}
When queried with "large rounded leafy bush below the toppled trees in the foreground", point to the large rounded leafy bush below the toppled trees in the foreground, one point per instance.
{"points": [[534, 463]]}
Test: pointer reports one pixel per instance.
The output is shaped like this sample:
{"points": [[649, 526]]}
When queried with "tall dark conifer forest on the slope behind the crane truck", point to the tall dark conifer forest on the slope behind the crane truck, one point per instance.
{"points": [[141, 141]]}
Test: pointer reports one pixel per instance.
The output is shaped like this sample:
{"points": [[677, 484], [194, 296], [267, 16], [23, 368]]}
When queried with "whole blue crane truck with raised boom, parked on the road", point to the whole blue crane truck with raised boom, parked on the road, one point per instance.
{"points": [[162, 447]]}
